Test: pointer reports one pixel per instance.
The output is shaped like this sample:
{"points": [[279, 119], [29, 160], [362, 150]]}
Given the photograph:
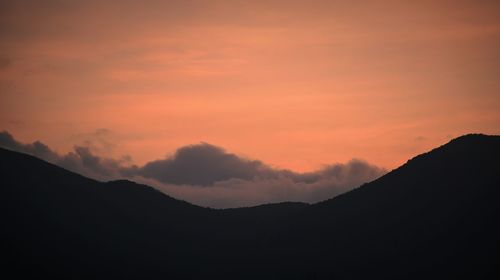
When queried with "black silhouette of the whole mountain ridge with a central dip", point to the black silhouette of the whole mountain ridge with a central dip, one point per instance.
{"points": [[435, 217]]}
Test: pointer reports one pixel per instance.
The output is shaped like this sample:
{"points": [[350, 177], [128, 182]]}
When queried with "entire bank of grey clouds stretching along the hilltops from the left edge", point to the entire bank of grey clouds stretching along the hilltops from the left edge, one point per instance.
{"points": [[208, 175]]}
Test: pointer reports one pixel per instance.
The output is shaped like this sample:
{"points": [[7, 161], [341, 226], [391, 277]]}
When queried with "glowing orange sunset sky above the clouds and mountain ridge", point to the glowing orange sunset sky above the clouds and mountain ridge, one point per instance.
{"points": [[296, 84]]}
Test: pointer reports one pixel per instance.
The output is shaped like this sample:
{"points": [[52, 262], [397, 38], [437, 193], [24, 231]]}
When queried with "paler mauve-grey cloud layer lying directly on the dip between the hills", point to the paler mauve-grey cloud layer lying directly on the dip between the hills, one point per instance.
{"points": [[282, 186]]}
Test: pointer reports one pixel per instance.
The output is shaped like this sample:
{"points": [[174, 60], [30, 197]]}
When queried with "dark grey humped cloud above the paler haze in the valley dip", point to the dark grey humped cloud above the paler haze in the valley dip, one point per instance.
{"points": [[205, 165]]}
